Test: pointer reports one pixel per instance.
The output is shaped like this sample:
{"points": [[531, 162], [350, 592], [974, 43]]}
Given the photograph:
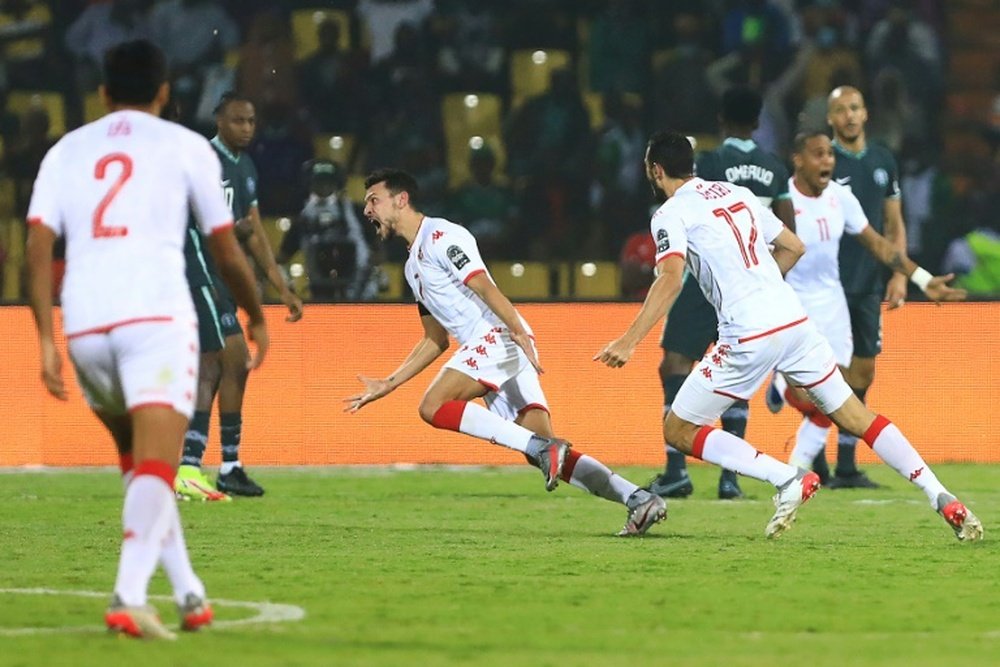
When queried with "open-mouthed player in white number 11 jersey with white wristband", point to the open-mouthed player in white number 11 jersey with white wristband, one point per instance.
{"points": [[824, 212]]}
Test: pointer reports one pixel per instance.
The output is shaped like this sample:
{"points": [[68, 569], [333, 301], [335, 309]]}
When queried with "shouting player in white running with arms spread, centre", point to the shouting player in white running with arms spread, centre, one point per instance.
{"points": [[496, 358]]}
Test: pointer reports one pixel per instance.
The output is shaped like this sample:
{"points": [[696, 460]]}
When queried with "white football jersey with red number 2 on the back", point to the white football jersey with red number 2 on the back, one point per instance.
{"points": [[119, 190]]}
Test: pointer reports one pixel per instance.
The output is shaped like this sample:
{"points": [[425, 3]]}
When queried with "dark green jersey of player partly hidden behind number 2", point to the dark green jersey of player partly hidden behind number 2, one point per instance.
{"points": [[239, 185]]}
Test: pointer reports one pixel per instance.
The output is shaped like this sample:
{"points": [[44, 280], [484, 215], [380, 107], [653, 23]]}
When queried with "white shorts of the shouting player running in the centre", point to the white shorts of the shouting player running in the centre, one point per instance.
{"points": [[497, 363]]}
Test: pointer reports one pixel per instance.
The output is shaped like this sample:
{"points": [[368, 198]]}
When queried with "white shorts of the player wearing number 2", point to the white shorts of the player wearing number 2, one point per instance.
{"points": [[138, 364]]}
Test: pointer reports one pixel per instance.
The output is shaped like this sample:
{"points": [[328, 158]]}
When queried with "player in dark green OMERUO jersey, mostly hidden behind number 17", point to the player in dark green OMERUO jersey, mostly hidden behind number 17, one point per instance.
{"points": [[693, 325]]}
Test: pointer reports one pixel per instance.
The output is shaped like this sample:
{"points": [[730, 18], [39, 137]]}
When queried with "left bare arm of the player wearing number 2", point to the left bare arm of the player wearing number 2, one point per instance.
{"points": [[39, 256]]}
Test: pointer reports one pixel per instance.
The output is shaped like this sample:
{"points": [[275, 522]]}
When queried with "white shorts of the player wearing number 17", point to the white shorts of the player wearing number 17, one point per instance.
{"points": [[735, 369]]}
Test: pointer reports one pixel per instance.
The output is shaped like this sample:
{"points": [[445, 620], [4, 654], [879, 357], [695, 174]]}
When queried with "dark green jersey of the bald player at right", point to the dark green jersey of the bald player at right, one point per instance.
{"points": [[872, 177]]}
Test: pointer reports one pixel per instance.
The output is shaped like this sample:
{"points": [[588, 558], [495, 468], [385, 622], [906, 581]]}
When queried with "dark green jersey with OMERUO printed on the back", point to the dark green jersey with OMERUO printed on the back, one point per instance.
{"points": [[742, 162]]}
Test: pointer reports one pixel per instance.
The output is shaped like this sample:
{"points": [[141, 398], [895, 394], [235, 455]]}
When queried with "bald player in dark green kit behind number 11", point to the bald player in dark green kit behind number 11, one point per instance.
{"points": [[870, 172]]}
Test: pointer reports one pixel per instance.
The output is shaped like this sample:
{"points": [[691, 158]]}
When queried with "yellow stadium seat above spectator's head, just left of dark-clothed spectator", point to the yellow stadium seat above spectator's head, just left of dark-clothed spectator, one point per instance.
{"points": [[466, 116]]}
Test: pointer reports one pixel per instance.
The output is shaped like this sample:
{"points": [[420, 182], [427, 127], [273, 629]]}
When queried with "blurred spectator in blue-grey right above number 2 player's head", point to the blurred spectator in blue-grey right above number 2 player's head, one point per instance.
{"points": [[100, 27]]}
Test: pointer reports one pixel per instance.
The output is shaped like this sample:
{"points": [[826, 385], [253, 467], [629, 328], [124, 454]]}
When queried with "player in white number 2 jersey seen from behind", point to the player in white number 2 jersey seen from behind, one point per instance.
{"points": [[118, 190]]}
